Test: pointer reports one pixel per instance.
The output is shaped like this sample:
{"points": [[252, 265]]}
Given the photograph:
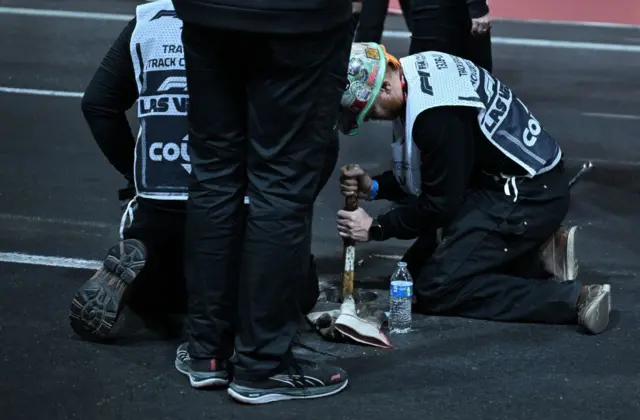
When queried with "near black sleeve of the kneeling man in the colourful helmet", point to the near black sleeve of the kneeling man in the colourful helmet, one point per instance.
{"points": [[445, 139]]}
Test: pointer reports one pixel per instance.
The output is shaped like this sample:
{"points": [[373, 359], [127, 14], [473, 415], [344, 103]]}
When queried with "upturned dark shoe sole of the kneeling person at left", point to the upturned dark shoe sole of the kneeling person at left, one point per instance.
{"points": [[97, 304]]}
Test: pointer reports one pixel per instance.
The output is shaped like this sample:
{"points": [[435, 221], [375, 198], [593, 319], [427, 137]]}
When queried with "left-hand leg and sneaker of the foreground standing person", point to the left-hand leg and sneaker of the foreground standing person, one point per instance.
{"points": [[215, 65]]}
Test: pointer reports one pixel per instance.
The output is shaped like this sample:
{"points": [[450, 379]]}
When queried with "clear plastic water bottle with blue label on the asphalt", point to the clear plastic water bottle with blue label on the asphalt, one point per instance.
{"points": [[400, 300]]}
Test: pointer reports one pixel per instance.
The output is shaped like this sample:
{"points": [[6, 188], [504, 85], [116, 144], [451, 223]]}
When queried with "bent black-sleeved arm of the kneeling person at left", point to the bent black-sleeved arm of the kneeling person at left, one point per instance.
{"points": [[110, 93]]}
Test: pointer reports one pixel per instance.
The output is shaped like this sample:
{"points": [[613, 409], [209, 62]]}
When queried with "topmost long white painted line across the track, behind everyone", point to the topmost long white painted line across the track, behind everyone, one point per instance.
{"points": [[522, 42]]}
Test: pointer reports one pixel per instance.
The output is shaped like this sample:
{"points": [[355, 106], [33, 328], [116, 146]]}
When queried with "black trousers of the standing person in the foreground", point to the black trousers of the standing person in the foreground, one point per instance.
{"points": [[262, 112]]}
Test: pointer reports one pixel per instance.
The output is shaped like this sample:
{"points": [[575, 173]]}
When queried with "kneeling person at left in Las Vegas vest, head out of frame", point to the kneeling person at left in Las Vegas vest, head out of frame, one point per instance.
{"points": [[145, 66]]}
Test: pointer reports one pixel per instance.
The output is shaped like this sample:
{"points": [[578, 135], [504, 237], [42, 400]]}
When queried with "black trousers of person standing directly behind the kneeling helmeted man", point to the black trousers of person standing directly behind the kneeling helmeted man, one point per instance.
{"points": [[445, 26]]}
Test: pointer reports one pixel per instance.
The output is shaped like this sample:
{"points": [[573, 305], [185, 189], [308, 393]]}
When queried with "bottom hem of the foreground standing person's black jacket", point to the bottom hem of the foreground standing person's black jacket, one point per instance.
{"points": [[265, 16]]}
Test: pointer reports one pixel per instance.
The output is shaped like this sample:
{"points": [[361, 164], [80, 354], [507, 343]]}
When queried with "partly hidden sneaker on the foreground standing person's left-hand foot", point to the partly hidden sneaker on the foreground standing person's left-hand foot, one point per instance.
{"points": [[202, 373]]}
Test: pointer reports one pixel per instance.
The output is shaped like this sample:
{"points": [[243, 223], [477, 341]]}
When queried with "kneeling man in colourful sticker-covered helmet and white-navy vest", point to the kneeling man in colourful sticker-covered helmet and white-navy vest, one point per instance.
{"points": [[475, 163]]}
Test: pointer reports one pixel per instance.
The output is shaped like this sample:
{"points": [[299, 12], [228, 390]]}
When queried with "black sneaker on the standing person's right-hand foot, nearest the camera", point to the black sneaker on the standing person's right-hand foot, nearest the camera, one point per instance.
{"points": [[302, 380]]}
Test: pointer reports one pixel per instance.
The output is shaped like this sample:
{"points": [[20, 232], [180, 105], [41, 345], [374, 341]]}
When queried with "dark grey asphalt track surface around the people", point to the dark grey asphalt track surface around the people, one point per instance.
{"points": [[58, 198]]}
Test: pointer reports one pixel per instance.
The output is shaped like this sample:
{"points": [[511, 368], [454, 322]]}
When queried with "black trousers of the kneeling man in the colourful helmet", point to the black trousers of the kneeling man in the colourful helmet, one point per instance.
{"points": [[487, 265]]}
